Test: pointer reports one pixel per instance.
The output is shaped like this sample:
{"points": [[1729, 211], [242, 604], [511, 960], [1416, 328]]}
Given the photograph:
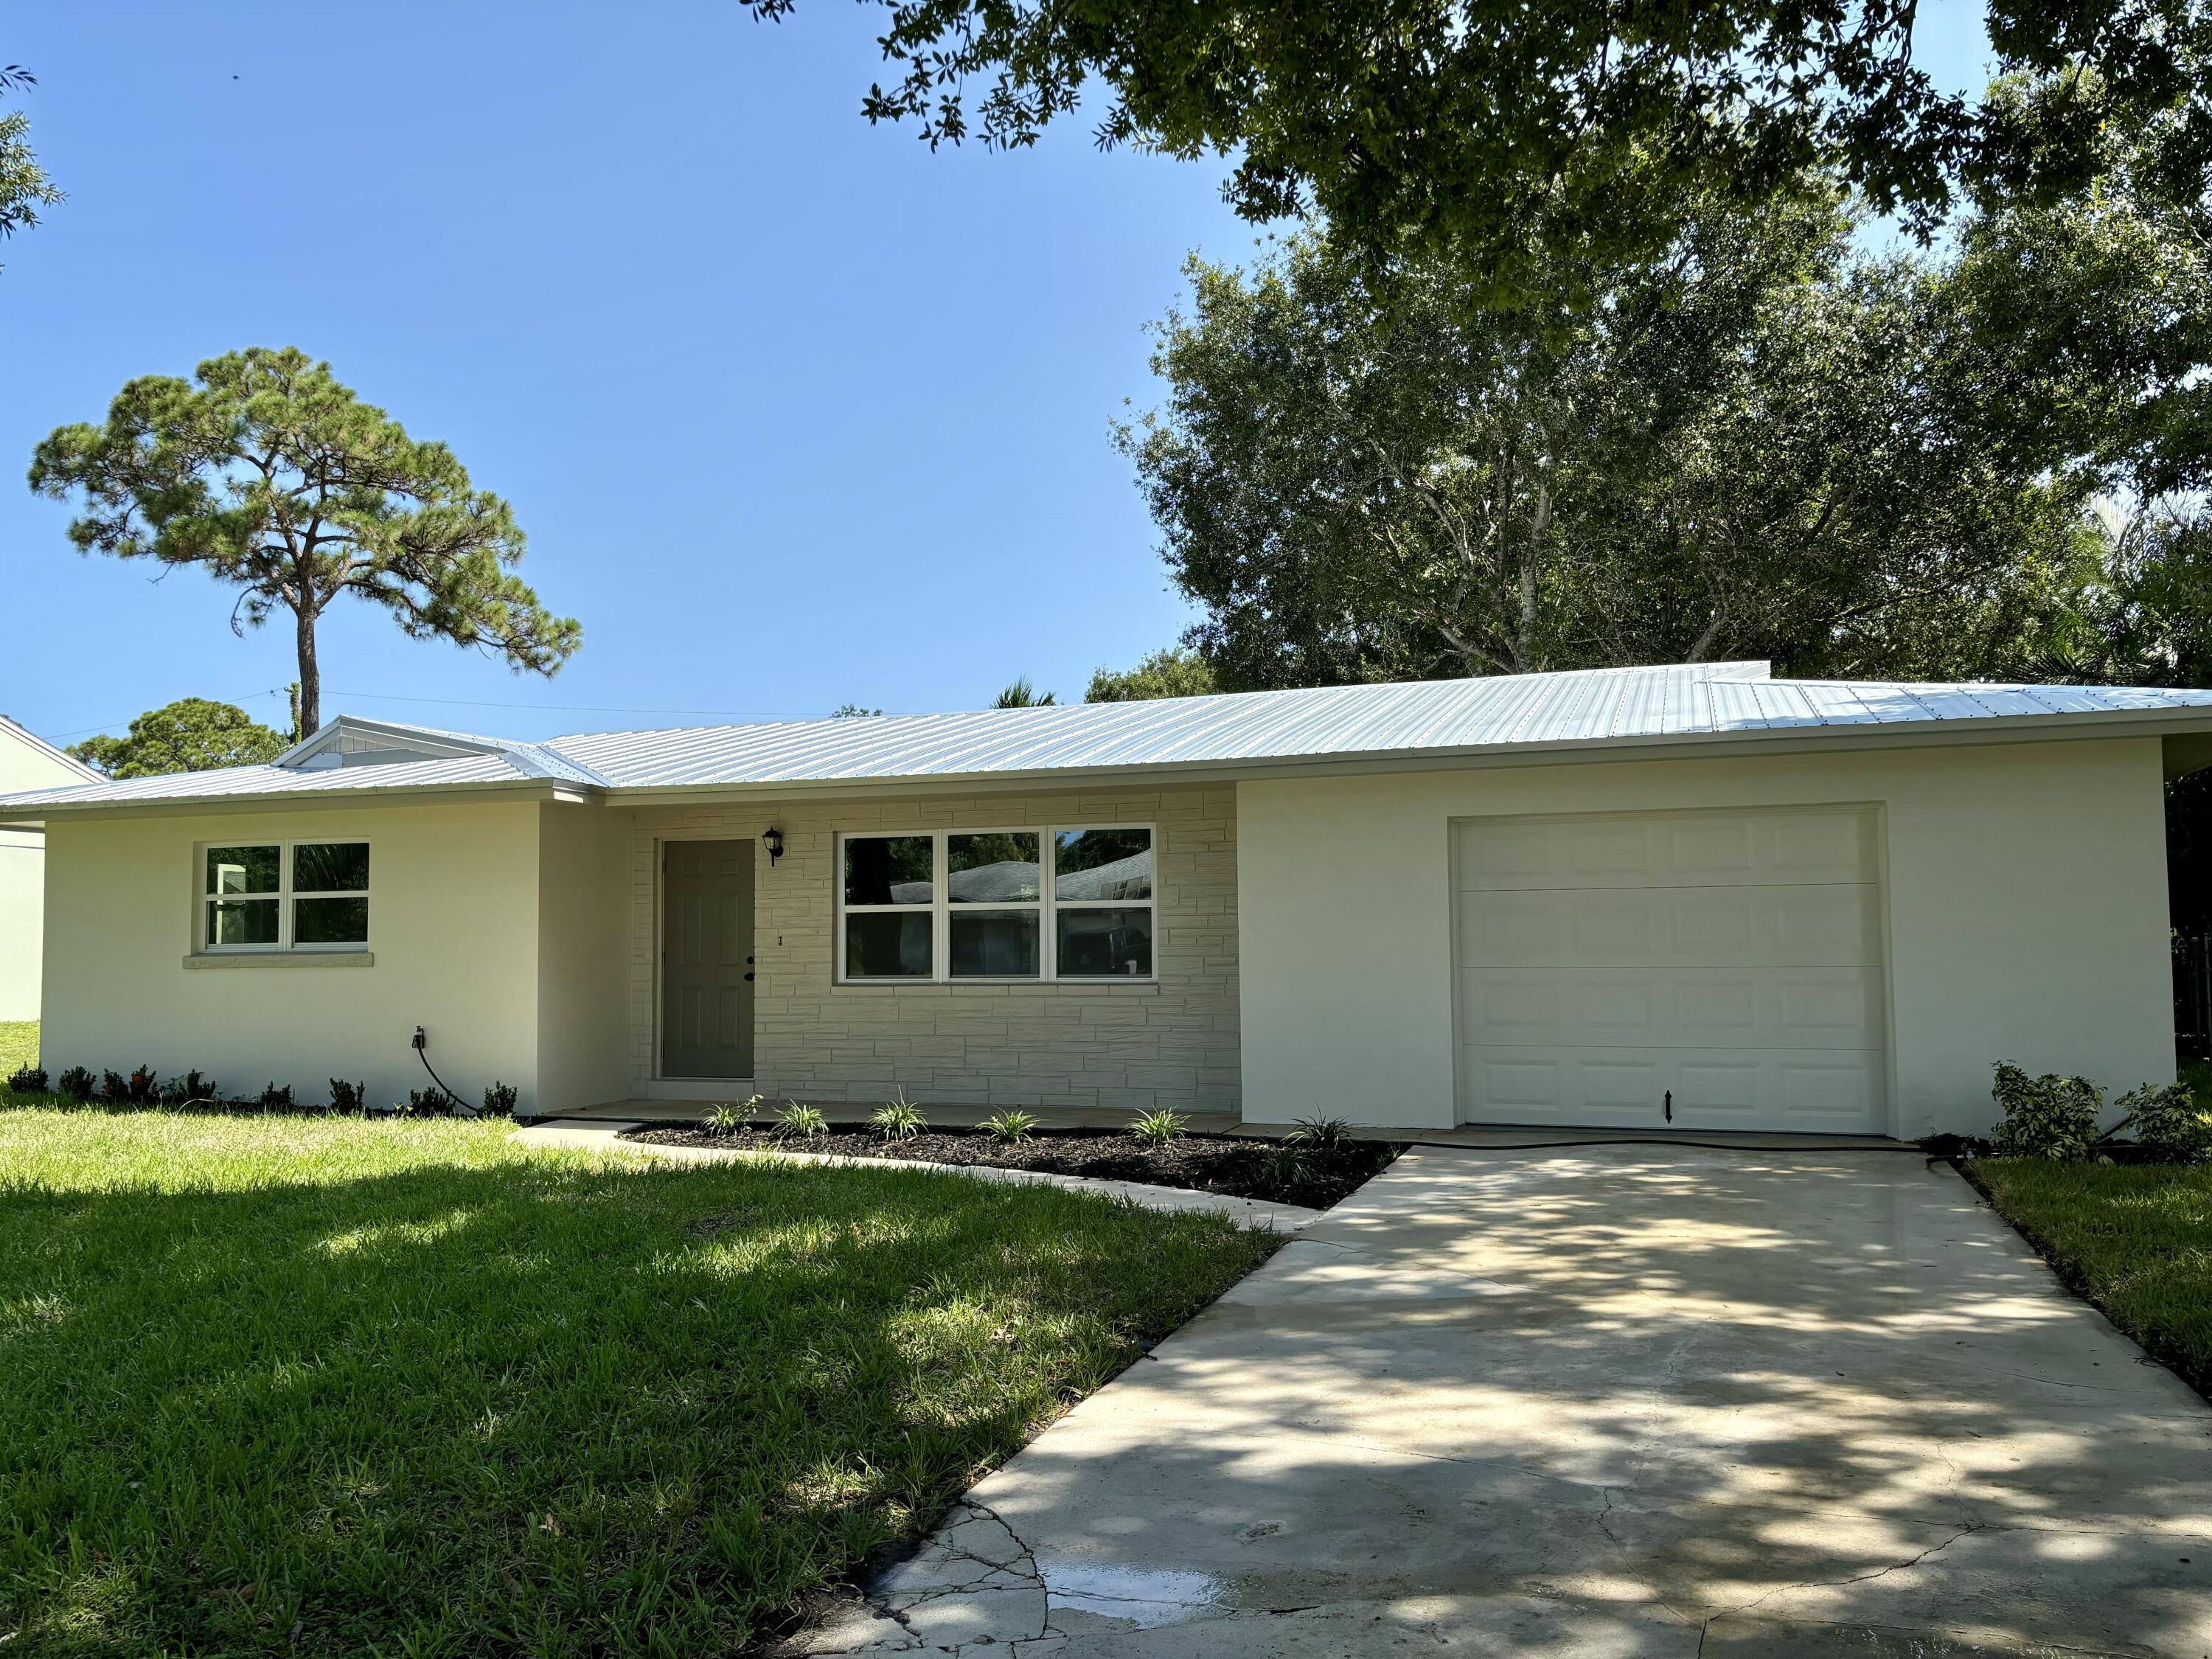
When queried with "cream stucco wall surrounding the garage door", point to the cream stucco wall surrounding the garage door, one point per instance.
{"points": [[2025, 895]]}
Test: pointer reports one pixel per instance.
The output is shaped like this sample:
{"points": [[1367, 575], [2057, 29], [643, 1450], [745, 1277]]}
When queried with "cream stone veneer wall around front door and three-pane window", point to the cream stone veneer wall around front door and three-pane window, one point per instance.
{"points": [[974, 1045]]}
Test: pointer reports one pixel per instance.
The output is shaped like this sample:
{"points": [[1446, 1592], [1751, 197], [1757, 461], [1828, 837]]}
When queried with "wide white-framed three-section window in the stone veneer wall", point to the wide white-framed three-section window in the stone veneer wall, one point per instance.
{"points": [[997, 906]]}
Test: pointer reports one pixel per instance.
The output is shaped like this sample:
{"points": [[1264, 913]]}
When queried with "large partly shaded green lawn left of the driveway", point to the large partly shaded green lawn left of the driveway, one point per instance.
{"points": [[333, 1388]]}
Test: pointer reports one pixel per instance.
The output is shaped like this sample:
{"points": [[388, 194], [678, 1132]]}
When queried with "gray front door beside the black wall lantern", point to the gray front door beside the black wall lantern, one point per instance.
{"points": [[707, 959]]}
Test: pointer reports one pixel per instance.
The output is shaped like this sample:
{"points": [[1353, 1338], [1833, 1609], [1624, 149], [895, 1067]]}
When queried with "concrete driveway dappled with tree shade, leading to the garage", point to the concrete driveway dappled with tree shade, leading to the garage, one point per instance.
{"points": [[1607, 1401]]}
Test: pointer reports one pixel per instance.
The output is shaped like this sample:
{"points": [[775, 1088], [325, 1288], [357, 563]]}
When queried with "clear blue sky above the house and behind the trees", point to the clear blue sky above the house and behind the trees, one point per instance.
{"points": [[793, 410]]}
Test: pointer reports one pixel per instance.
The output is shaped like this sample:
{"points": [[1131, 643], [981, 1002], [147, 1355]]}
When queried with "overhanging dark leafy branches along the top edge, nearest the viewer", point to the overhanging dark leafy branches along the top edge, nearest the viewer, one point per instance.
{"points": [[1514, 136]]}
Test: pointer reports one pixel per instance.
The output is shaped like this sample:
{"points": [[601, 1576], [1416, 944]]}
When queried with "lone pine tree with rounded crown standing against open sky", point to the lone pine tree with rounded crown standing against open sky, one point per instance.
{"points": [[275, 479]]}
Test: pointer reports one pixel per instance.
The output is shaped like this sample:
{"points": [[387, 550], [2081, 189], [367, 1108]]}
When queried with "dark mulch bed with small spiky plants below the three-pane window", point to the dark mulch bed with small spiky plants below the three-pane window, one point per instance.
{"points": [[1200, 1162]]}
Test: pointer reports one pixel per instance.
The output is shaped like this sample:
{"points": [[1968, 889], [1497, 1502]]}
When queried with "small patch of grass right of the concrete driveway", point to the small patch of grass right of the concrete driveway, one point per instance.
{"points": [[2136, 1240]]}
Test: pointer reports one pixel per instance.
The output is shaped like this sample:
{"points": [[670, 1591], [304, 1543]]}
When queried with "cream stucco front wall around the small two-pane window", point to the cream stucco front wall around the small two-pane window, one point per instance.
{"points": [[455, 897]]}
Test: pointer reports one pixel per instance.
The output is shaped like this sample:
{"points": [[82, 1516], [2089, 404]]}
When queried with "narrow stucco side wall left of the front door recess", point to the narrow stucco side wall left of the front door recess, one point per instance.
{"points": [[583, 957]]}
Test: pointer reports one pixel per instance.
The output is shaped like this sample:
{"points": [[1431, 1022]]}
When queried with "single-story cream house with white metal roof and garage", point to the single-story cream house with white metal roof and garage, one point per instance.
{"points": [[1695, 897]]}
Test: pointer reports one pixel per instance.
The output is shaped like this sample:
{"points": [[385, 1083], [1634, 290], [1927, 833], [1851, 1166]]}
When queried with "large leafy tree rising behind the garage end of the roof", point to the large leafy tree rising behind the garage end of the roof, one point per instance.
{"points": [[1757, 446]]}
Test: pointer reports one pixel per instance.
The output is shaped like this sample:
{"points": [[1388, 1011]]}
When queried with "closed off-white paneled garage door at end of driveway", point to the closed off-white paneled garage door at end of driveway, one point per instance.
{"points": [[1724, 963]]}
